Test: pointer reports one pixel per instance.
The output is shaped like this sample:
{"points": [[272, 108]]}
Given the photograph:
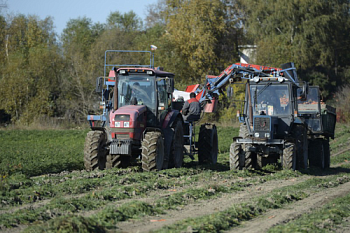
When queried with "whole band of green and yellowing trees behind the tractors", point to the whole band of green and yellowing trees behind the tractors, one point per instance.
{"points": [[43, 74]]}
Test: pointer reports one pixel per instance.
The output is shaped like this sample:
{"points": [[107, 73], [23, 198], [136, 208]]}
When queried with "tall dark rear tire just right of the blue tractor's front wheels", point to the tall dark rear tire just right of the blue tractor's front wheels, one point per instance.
{"points": [[301, 142]]}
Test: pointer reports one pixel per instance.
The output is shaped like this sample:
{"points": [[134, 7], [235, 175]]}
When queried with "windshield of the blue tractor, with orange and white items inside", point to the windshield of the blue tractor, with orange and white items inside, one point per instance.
{"points": [[270, 99]]}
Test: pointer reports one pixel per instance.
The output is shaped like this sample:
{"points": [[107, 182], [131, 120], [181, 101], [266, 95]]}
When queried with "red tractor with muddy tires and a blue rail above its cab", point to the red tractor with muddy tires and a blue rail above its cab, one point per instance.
{"points": [[138, 120]]}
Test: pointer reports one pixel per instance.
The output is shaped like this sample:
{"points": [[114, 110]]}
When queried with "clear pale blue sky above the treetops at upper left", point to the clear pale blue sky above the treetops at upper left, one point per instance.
{"points": [[64, 10]]}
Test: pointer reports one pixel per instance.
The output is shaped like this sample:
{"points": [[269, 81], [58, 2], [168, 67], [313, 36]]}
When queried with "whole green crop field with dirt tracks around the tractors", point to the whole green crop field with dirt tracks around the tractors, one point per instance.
{"points": [[43, 188]]}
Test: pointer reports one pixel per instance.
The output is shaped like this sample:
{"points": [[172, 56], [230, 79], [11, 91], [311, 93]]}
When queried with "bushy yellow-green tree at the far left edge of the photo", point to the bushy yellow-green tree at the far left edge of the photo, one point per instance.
{"points": [[29, 72]]}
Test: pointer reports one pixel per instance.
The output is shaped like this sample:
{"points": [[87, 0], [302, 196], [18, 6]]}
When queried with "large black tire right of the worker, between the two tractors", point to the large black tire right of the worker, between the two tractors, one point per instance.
{"points": [[208, 144]]}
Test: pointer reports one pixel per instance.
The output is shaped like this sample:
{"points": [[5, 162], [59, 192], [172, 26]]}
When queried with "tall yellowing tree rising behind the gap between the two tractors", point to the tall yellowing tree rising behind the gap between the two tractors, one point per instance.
{"points": [[193, 28]]}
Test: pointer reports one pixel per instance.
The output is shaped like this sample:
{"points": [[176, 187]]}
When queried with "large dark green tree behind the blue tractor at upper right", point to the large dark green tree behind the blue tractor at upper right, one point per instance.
{"points": [[309, 33]]}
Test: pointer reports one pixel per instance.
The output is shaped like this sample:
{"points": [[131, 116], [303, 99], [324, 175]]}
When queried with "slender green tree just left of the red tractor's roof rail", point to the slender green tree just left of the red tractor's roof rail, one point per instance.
{"points": [[78, 85]]}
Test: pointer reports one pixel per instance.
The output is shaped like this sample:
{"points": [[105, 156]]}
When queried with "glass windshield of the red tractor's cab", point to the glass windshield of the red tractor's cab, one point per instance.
{"points": [[136, 90]]}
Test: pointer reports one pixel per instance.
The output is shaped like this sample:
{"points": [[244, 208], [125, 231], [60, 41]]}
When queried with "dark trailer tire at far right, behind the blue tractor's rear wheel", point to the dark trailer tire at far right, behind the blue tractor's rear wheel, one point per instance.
{"points": [[317, 156]]}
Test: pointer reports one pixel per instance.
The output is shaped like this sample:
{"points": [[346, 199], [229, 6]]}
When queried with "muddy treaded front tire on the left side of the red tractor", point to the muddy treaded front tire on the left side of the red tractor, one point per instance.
{"points": [[95, 151]]}
